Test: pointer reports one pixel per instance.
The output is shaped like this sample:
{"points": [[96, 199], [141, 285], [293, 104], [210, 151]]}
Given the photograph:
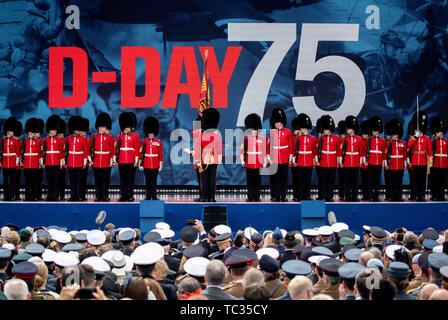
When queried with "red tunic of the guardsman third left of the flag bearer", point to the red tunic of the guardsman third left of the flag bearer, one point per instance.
{"points": [[102, 148]]}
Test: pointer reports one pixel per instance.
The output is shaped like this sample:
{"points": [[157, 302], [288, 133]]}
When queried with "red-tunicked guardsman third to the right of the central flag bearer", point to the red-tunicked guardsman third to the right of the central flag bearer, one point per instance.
{"points": [[304, 156]]}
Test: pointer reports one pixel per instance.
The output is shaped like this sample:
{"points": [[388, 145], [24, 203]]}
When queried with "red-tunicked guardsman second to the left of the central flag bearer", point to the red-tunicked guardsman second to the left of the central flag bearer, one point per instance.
{"points": [[127, 156]]}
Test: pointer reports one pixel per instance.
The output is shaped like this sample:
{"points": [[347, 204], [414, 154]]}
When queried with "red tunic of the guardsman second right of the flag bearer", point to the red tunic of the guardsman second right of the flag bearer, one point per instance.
{"points": [[282, 145]]}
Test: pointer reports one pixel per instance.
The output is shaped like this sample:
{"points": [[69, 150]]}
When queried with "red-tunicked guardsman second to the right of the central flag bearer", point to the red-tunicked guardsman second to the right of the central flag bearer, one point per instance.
{"points": [[281, 142]]}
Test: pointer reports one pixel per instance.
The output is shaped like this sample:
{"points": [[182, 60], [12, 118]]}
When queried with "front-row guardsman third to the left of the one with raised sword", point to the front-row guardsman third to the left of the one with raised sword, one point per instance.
{"points": [[352, 157]]}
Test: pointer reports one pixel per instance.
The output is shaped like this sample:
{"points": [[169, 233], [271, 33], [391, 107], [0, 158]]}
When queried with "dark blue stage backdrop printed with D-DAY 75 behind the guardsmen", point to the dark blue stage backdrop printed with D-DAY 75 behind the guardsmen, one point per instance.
{"points": [[332, 56]]}
